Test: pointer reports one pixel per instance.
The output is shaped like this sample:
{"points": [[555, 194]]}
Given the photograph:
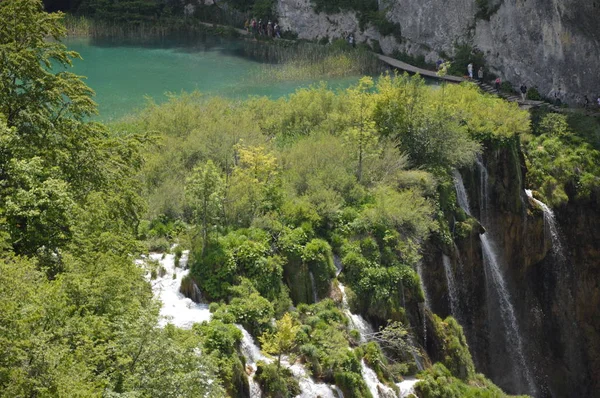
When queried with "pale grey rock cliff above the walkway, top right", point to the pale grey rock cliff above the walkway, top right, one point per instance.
{"points": [[551, 44]]}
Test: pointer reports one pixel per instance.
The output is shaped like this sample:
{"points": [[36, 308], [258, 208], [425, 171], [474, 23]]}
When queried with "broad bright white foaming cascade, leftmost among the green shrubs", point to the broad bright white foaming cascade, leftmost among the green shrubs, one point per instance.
{"points": [[176, 308]]}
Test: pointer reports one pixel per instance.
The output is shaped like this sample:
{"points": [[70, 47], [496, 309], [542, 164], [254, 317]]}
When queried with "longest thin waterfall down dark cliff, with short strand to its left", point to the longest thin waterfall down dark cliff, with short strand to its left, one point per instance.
{"points": [[495, 282]]}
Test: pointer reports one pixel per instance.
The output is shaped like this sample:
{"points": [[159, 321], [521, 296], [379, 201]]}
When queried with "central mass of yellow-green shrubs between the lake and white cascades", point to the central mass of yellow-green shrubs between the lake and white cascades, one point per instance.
{"points": [[274, 191]]}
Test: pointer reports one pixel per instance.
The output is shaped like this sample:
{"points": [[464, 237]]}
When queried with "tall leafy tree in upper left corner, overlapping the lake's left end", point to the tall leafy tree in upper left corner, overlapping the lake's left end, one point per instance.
{"points": [[51, 155]]}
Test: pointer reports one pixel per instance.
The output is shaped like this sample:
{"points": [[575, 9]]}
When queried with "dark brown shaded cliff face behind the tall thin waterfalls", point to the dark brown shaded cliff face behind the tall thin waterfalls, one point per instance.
{"points": [[555, 295]]}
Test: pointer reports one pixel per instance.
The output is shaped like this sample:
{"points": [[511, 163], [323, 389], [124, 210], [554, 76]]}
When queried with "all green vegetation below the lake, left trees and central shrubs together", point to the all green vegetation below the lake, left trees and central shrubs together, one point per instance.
{"points": [[271, 196]]}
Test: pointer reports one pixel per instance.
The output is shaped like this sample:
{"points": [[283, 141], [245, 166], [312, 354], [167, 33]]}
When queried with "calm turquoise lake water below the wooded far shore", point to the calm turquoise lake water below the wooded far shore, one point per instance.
{"points": [[123, 75]]}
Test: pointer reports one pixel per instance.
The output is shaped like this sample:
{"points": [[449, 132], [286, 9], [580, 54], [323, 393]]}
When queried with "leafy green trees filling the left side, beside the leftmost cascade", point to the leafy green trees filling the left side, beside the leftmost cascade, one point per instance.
{"points": [[76, 316]]}
